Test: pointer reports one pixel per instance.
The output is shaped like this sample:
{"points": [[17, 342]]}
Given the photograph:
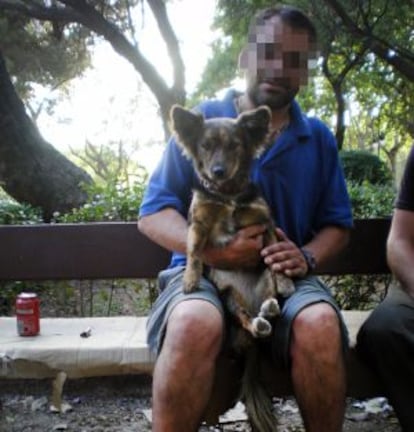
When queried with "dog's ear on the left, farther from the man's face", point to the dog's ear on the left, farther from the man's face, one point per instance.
{"points": [[187, 126]]}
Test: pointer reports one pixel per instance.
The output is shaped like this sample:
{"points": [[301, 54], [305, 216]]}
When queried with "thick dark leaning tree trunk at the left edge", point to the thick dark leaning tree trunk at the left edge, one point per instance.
{"points": [[31, 169]]}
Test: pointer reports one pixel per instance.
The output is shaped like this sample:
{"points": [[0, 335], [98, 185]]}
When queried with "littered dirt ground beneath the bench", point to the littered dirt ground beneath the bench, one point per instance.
{"points": [[119, 405]]}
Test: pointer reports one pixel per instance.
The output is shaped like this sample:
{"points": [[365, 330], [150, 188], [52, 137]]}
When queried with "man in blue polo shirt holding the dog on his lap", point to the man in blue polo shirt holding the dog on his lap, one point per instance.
{"points": [[302, 181]]}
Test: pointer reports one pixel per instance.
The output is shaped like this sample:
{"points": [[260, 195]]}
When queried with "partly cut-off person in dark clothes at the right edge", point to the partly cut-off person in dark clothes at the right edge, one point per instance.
{"points": [[386, 340]]}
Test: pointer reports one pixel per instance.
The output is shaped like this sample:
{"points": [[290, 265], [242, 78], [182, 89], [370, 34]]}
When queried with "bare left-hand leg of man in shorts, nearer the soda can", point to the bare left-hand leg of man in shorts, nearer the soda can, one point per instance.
{"points": [[184, 371]]}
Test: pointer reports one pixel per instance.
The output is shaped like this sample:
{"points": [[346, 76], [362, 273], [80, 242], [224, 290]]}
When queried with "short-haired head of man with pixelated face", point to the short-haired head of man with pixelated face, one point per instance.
{"points": [[280, 51]]}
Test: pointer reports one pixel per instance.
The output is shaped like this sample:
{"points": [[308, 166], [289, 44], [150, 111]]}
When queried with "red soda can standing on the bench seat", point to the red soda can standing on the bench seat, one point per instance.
{"points": [[27, 314]]}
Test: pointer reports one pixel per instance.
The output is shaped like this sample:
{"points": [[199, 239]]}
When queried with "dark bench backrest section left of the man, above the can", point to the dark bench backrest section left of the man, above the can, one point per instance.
{"points": [[78, 251]]}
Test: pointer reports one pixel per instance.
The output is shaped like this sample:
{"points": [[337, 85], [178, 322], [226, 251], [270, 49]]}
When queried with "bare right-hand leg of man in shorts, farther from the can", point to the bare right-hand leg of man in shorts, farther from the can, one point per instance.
{"points": [[318, 370]]}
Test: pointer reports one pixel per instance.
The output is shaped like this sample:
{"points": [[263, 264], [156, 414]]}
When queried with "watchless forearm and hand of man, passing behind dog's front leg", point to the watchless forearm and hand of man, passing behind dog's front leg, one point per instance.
{"points": [[169, 228]]}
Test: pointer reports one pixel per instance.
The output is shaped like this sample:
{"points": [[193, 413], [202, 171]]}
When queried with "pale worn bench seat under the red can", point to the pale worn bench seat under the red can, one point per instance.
{"points": [[117, 346]]}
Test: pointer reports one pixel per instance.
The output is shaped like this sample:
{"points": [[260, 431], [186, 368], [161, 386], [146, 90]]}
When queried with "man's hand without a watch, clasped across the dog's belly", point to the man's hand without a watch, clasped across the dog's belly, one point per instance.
{"points": [[243, 251]]}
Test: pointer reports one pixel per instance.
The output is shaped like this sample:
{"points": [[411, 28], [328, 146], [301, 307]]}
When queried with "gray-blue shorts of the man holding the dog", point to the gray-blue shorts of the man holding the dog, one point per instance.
{"points": [[308, 291]]}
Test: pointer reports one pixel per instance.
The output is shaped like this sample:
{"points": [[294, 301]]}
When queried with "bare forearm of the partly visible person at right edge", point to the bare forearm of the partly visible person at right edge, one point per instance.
{"points": [[400, 248]]}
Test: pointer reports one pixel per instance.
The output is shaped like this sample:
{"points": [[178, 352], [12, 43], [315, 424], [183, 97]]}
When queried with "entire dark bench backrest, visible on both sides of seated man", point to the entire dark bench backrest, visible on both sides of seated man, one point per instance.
{"points": [[119, 250]]}
